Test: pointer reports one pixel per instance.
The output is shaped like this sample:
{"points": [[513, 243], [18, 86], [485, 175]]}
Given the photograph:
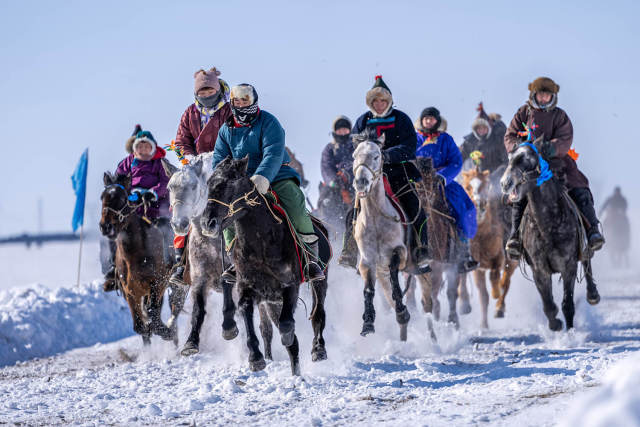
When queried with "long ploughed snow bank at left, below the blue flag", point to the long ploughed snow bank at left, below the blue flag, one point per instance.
{"points": [[38, 322]]}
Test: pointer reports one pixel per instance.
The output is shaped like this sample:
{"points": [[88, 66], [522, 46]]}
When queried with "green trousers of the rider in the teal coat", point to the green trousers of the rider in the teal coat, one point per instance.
{"points": [[293, 201]]}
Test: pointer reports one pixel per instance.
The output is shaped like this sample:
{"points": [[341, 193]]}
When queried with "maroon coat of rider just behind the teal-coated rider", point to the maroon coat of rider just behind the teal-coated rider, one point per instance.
{"points": [[191, 138]]}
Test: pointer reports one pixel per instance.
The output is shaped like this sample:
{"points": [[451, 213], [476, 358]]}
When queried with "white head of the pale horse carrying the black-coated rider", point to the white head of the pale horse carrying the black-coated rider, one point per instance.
{"points": [[367, 163]]}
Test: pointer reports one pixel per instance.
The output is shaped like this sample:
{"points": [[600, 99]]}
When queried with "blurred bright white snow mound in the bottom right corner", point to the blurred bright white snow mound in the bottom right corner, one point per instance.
{"points": [[616, 403]]}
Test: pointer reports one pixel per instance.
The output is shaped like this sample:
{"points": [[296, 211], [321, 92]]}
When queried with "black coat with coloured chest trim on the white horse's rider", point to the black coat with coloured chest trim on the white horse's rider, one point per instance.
{"points": [[399, 144]]}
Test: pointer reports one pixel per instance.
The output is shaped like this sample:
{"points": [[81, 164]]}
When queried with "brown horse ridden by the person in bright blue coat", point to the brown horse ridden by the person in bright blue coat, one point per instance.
{"points": [[443, 237]]}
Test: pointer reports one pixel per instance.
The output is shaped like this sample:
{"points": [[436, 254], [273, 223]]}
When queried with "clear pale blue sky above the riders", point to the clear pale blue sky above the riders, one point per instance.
{"points": [[79, 74]]}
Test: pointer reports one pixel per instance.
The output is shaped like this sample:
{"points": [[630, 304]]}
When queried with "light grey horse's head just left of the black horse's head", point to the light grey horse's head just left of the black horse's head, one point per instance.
{"points": [[188, 191]]}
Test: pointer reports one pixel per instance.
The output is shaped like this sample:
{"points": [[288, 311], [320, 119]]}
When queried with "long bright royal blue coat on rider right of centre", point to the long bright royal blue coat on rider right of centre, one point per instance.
{"points": [[447, 161]]}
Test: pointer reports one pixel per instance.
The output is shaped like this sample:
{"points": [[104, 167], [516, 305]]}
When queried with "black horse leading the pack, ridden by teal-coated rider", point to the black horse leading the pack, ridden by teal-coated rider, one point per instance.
{"points": [[266, 258]]}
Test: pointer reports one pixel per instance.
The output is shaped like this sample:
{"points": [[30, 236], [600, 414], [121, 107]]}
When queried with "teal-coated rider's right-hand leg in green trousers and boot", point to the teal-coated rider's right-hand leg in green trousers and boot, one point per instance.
{"points": [[293, 202]]}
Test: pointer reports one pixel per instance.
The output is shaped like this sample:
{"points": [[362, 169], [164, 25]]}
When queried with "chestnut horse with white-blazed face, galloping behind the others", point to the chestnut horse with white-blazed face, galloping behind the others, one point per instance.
{"points": [[487, 247]]}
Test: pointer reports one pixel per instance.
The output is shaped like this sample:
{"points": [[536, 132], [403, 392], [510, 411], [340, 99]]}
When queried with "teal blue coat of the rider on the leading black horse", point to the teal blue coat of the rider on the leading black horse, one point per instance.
{"points": [[263, 141]]}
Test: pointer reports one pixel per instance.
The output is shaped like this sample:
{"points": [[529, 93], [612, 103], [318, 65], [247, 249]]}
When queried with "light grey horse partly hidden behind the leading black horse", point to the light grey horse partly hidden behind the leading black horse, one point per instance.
{"points": [[205, 255]]}
